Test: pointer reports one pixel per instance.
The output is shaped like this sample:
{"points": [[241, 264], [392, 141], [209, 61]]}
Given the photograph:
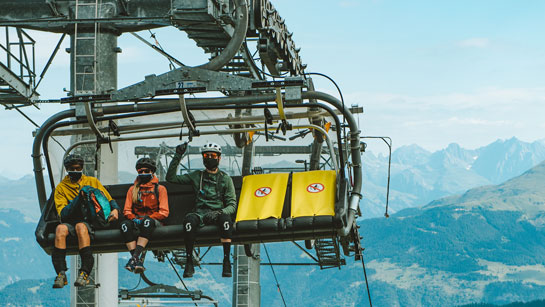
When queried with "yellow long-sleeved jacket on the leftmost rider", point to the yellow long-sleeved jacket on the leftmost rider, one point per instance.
{"points": [[67, 191]]}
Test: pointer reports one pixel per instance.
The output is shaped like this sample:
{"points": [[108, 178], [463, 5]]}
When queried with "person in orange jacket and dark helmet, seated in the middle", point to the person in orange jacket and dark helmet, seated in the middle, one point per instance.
{"points": [[146, 206]]}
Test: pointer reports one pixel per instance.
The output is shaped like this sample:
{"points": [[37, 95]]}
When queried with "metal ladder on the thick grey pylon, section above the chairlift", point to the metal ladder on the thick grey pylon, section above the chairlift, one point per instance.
{"points": [[88, 56]]}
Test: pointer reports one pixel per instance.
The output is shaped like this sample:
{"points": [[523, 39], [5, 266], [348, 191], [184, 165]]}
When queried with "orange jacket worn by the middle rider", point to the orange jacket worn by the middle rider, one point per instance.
{"points": [[147, 202]]}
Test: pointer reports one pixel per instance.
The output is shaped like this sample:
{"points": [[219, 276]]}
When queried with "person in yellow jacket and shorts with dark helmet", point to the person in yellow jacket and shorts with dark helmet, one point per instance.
{"points": [[72, 221]]}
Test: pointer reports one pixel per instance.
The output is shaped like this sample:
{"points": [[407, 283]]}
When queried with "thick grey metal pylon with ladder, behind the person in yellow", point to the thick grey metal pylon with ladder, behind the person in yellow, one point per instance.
{"points": [[94, 71]]}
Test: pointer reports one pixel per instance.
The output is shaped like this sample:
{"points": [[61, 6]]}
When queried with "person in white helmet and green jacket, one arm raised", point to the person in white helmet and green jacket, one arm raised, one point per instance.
{"points": [[215, 202]]}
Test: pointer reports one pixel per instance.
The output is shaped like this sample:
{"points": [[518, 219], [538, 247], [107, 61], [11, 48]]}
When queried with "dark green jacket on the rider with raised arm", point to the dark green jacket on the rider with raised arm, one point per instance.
{"points": [[216, 191]]}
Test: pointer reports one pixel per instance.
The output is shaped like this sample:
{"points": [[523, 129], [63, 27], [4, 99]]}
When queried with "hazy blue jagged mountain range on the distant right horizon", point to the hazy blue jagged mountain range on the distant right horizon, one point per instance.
{"points": [[419, 176]]}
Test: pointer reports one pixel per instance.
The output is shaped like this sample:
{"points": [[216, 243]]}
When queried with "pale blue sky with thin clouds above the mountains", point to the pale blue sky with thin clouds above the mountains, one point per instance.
{"points": [[426, 72]]}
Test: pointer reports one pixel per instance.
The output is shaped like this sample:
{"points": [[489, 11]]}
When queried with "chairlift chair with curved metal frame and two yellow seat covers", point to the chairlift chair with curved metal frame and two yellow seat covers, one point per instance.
{"points": [[337, 225]]}
